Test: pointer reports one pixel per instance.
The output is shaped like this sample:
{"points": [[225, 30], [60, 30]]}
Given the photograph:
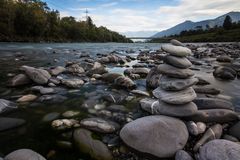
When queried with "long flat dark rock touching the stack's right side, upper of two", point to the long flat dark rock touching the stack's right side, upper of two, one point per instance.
{"points": [[213, 103]]}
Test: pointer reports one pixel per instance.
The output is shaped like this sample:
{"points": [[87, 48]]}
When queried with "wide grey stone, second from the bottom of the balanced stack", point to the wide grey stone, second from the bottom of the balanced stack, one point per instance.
{"points": [[179, 97]]}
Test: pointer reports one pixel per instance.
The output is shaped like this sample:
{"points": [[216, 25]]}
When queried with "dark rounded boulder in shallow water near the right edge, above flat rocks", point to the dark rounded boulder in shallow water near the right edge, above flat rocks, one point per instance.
{"points": [[226, 73]]}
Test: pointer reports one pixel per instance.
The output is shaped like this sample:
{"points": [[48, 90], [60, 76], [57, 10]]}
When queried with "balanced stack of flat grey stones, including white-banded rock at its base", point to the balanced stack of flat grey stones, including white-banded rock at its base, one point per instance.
{"points": [[174, 94]]}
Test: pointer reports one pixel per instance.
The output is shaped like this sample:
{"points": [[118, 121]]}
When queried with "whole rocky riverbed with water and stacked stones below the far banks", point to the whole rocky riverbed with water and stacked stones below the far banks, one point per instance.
{"points": [[144, 101]]}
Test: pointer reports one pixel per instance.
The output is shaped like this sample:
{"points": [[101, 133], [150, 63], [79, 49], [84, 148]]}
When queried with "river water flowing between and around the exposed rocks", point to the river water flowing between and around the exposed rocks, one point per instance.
{"points": [[37, 134]]}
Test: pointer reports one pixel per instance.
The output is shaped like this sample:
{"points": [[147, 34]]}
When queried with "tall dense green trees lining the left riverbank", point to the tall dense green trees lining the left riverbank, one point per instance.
{"points": [[34, 21]]}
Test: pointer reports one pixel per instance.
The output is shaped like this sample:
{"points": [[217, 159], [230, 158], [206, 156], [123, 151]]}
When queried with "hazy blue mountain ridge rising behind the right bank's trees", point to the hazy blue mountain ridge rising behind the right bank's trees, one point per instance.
{"points": [[189, 25]]}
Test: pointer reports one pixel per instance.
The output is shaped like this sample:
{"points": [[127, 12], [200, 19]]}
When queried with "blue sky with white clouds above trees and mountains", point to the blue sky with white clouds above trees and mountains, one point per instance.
{"points": [[139, 17]]}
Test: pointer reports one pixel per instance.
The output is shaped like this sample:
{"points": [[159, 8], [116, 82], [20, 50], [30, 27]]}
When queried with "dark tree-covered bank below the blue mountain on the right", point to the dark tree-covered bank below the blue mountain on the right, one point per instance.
{"points": [[228, 32]]}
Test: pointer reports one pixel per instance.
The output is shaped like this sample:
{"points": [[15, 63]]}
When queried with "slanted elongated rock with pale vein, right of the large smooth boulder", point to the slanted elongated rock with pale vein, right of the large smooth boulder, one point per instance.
{"points": [[214, 132]]}
